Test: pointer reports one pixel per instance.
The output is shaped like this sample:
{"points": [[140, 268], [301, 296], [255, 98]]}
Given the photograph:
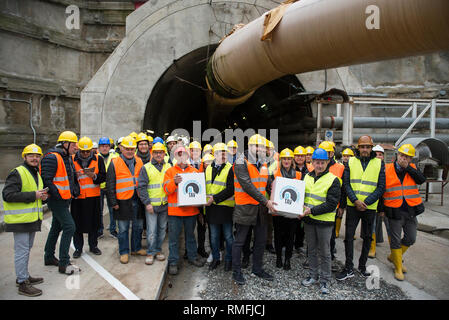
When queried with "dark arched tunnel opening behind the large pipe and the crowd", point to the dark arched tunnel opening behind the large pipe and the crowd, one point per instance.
{"points": [[179, 98]]}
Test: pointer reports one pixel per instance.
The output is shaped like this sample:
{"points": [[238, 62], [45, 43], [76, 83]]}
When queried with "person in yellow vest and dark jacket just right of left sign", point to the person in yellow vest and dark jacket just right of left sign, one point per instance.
{"points": [[220, 205]]}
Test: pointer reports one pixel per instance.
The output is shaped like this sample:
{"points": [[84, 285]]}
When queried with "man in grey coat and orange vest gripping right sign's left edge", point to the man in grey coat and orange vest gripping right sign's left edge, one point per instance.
{"points": [[250, 181]]}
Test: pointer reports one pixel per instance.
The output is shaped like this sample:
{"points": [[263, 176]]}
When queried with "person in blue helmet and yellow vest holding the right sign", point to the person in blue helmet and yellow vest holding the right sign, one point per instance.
{"points": [[322, 195]]}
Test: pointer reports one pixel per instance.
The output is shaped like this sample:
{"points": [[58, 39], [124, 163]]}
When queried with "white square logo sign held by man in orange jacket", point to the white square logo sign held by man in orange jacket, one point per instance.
{"points": [[192, 189]]}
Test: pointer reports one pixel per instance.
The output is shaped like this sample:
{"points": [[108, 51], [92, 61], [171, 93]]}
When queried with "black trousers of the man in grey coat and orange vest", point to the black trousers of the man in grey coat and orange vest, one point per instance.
{"points": [[260, 238]]}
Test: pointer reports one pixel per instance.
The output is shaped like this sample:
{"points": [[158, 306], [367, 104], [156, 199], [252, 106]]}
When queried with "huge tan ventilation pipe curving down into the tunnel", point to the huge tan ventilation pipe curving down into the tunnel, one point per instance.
{"points": [[322, 34]]}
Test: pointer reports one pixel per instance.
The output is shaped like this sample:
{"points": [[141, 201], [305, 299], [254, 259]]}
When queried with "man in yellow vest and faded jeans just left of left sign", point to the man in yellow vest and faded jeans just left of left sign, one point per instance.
{"points": [[152, 195]]}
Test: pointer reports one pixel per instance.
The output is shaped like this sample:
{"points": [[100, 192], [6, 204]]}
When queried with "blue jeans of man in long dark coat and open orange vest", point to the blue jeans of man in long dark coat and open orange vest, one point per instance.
{"points": [[136, 233]]}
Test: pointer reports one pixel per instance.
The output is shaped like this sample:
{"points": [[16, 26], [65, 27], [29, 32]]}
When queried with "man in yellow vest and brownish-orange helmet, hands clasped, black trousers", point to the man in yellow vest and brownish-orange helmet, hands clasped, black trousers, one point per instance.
{"points": [[364, 180]]}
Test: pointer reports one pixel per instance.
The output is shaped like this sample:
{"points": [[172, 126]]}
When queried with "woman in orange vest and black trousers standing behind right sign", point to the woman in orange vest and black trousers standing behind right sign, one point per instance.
{"points": [[284, 228]]}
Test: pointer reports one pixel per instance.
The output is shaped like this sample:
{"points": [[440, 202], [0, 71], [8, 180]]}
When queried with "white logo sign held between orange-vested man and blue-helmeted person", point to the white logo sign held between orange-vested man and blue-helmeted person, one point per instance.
{"points": [[289, 196]]}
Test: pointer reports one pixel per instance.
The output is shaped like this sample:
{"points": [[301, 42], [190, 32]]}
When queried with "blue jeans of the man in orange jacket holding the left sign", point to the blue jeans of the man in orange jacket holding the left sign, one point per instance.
{"points": [[175, 224]]}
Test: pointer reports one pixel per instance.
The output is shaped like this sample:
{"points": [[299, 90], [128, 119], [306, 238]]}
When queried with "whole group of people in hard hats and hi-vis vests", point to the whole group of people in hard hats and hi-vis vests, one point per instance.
{"points": [[140, 179]]}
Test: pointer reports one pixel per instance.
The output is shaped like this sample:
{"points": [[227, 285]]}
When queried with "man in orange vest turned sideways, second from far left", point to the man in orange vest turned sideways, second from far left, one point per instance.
{"points": [[58, 175]]}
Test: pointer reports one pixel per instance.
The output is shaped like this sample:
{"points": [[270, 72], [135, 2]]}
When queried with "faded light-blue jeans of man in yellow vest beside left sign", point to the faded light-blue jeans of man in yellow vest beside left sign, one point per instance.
{"points": [[156, 227]]}
